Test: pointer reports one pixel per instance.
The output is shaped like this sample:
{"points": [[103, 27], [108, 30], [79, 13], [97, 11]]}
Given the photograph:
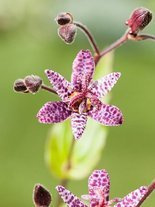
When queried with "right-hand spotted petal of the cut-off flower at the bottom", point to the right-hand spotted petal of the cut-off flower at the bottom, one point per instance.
{"points": [[133, 198]]}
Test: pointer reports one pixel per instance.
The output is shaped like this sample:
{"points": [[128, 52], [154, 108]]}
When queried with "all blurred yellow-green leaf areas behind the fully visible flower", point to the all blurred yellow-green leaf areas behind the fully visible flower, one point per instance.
{"points": [[86, 152]]}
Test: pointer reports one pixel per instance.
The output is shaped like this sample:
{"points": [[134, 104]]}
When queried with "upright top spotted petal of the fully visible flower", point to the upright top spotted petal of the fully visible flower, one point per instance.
{"points": [[83, 68]]}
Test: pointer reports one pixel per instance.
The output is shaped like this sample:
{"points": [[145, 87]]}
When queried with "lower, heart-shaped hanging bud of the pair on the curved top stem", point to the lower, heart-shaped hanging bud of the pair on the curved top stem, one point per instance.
{"points": [[68, 33]]}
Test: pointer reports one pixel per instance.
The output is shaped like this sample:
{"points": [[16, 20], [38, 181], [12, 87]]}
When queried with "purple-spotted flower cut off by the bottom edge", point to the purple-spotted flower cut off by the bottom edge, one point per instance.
{"points": [[99, 187]]}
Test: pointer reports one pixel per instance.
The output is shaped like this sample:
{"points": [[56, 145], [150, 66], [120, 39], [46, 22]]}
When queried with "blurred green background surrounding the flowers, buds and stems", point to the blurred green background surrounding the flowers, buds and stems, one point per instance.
{"points": [[28, 45]]}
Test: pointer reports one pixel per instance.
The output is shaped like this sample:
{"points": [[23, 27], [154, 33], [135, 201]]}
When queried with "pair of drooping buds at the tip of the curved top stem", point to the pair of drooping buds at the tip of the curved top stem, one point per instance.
{"points": [[67, 29]]}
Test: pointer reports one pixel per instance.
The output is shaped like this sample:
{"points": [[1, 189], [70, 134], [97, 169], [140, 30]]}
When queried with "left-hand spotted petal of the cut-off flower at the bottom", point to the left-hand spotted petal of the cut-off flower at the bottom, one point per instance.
{"points": [[70, 199]]}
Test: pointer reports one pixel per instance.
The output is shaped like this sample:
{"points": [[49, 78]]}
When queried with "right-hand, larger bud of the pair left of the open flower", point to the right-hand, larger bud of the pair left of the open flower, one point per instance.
{"points": [[33, 83]]}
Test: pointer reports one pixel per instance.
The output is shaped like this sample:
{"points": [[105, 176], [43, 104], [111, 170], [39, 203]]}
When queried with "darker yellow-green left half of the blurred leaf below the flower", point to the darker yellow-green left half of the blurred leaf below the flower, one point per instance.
{"points": [[57, 149]]}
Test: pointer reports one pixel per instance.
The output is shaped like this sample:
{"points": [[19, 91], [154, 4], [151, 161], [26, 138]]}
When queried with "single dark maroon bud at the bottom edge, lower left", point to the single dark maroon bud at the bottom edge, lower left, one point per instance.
{"points": [[41, 196]]}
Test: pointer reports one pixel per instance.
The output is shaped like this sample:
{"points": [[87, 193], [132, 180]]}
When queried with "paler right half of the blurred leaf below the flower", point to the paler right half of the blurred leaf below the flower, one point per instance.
{"points": [[88, 150]]}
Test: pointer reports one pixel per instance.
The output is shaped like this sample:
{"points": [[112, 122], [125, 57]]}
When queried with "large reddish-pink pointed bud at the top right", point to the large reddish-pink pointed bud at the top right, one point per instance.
{"points": [[139, 19]]}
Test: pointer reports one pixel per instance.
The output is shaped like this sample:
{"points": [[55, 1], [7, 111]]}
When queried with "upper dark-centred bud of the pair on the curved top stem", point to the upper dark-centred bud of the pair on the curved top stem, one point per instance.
{"points": [[64, 18]]}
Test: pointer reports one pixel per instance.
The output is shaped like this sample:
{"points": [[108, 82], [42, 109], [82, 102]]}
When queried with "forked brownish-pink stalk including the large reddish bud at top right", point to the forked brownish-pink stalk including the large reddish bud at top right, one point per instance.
{"points": [[139, 19]]}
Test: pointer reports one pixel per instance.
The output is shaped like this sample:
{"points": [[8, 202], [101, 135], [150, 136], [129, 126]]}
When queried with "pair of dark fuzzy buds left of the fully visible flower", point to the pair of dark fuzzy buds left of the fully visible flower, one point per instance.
{"points": [[30, 84]]}
